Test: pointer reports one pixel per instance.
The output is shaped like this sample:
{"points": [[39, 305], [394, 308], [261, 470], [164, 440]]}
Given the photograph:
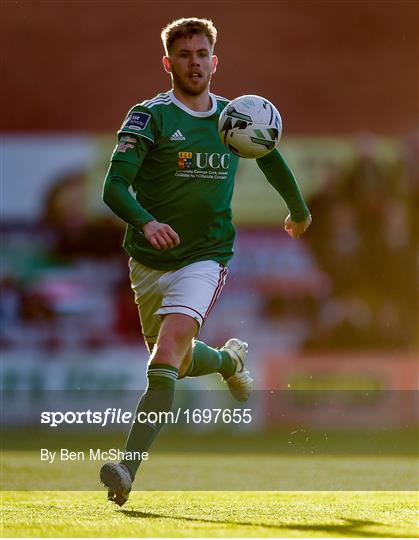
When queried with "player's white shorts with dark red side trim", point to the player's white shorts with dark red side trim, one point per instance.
{"points": [[192, 290]]}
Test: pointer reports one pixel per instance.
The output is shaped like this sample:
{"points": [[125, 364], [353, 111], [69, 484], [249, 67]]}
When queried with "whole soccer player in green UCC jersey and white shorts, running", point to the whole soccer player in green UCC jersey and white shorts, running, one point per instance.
{"points": [[179, 229]]}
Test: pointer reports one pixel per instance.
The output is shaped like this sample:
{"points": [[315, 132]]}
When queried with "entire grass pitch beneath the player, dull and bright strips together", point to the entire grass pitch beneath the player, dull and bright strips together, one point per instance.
{"points": [[290, 509]]}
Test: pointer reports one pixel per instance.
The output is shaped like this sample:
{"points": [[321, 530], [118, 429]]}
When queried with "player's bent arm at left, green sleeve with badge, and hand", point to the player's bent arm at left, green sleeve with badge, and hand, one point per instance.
{"points": [[126, 161]]}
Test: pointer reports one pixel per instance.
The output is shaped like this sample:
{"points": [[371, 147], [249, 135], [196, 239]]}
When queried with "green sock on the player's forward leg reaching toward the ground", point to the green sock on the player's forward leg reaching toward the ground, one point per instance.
{"points": [[157, 398]]}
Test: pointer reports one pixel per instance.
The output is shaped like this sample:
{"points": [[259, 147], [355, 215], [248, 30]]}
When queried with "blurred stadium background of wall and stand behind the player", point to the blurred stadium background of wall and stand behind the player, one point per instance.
{"points": [[335, 310]]}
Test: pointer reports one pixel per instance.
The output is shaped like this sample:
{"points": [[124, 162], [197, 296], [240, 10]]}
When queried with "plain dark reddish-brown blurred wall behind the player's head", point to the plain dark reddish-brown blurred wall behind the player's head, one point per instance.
{"points": [[331, 66]]}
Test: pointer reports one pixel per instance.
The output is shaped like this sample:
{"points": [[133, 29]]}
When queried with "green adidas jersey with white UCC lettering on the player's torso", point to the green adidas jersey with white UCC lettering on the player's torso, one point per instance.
{"points": [[185, 179]]}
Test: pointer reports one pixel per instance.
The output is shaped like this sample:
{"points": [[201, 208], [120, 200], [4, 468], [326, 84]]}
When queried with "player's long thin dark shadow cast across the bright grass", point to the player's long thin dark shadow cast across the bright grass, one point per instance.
{"points": [[351, 527]]}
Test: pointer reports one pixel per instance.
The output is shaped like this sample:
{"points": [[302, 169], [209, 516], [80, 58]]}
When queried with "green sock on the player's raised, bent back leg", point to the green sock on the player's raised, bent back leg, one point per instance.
{"points": [[206, 360]]}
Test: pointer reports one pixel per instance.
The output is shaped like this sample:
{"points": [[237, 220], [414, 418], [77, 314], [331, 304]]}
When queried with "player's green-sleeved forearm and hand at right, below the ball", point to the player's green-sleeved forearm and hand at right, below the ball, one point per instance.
{"points": [[280, 176]]}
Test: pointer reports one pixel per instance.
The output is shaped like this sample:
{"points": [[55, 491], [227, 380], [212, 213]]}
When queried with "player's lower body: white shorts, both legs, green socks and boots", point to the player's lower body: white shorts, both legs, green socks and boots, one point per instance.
{"points": [[191, 291]]}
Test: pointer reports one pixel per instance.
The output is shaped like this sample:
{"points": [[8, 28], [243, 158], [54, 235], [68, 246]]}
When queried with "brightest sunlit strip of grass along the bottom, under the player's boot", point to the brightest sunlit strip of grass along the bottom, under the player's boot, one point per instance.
{"points": [[211, 514]]}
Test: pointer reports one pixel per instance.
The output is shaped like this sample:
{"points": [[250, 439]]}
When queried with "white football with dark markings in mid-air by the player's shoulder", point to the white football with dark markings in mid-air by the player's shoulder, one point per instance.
{"points": [[250, 126]]}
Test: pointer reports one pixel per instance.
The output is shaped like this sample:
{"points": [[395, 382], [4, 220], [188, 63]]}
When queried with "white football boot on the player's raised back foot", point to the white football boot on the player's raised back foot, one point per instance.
{"points": [[240, 383]]}
